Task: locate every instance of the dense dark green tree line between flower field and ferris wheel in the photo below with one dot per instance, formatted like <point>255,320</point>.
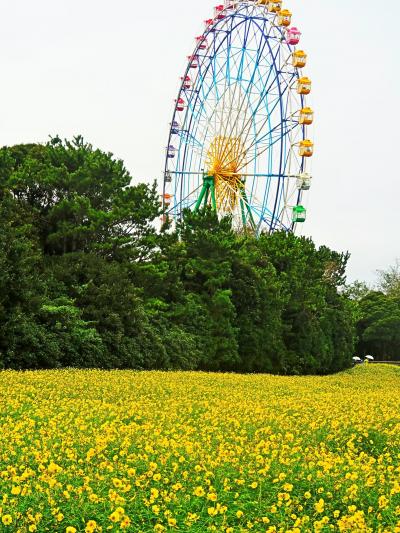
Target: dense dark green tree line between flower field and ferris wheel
<point>86,280</point>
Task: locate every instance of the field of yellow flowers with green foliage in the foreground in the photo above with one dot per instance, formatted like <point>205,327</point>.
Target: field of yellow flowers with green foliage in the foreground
<point>91,451</point>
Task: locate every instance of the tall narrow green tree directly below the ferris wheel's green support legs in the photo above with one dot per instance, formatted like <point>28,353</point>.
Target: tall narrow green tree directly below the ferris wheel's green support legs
<point>208,248</point>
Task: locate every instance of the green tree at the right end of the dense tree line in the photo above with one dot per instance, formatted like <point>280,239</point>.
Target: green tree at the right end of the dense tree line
<point>317,322</point>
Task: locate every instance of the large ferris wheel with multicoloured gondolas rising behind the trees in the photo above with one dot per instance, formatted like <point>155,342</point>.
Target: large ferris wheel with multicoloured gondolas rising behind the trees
<point>239,139</point>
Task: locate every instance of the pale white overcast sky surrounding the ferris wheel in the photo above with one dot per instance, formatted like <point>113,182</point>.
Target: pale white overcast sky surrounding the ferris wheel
<point>109,70</point>
